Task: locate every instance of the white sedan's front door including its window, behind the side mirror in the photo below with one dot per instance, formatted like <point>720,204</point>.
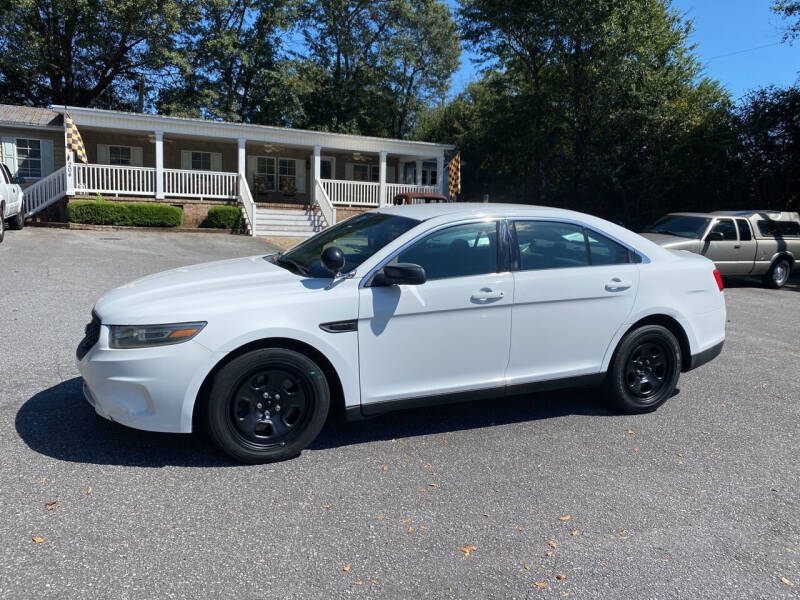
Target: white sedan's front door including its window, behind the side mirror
<point>445,336</point>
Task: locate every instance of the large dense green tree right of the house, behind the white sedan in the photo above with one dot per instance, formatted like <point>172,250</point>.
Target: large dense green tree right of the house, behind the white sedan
<point>592,104</point>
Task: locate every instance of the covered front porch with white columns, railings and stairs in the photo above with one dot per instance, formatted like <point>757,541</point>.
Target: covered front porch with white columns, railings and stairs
<point>169,158</point>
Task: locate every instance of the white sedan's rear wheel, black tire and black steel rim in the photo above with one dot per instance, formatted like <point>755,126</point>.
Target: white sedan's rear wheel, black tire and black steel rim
<point>645,370</point>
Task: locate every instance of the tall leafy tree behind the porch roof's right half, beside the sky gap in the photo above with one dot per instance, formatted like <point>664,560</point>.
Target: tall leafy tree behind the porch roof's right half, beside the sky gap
<point>372,65</point>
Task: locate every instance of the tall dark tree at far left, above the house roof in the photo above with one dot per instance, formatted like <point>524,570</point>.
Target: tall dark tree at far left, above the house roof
<point>82,52</point>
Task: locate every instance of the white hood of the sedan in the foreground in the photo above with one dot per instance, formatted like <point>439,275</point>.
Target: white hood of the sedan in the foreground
<point>196,292</point>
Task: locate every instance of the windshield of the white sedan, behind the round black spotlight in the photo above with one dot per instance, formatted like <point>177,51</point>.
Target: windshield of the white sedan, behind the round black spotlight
<point>358,238</point>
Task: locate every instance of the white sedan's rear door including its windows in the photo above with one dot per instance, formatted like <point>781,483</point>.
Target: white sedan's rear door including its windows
<point>573,291</point>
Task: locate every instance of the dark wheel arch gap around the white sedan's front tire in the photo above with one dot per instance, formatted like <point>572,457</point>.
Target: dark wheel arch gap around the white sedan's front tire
<point>334,381</point>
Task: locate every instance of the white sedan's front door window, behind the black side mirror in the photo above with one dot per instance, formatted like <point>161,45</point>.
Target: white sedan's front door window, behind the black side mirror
<point>458,251</point>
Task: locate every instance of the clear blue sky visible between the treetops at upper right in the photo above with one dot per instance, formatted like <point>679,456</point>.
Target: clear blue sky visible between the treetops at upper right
<point>738,42</point>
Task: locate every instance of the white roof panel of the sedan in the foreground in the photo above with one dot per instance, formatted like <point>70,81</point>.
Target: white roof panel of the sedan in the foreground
<point>459,210</point>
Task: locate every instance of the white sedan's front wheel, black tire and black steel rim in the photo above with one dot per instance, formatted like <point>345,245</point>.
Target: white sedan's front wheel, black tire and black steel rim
<point>267,405</point>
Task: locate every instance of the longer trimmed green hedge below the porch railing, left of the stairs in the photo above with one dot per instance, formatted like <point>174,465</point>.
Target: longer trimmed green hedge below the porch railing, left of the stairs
<point>138,214</point>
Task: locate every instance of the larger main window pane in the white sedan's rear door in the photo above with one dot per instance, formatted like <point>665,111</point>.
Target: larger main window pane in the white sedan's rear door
<point>551,245</point>
